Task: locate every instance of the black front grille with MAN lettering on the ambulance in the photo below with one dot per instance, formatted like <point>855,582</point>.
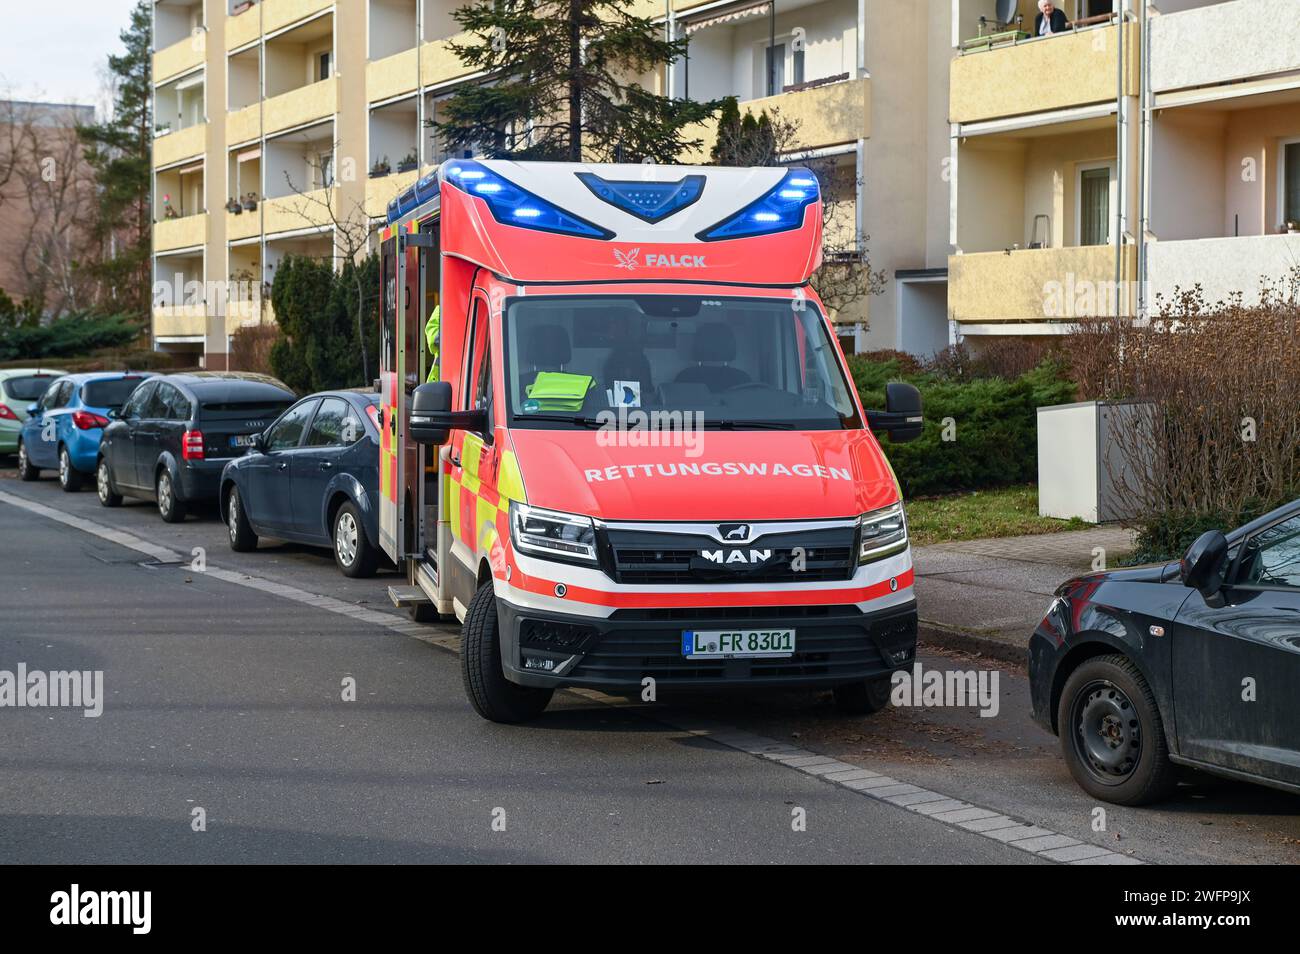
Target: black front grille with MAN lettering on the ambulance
<point>814,556</point>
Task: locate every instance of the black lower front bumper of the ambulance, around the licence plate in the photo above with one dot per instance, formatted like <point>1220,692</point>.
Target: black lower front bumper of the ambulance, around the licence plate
<point>835,645</point>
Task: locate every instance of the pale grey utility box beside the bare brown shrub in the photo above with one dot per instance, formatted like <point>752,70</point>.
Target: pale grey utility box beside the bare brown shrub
<point>1081,467</point>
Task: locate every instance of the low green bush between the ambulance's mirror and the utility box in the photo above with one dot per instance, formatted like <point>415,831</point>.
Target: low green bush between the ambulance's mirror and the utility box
<point>994,426</point>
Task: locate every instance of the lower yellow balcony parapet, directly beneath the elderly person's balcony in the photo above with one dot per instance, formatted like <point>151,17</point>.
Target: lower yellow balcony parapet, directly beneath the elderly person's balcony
<point>1038,284</point>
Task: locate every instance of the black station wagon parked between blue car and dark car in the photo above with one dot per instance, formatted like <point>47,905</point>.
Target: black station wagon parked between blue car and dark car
<point>176,433</point>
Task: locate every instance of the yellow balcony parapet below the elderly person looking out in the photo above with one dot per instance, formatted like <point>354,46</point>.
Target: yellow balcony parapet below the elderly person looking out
<point>1039,76</point>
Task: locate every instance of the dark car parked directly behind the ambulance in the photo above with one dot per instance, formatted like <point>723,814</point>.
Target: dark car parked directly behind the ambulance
<point>313,478</point>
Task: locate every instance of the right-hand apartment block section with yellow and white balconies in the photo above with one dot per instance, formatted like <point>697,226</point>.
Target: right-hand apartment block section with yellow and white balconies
<point>1154,149</point>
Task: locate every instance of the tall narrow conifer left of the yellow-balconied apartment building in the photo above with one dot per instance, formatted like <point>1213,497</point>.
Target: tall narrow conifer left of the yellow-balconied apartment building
<point>119,154</point>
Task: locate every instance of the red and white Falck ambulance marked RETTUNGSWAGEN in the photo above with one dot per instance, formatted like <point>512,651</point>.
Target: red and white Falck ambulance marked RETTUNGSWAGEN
<point>642,465</point>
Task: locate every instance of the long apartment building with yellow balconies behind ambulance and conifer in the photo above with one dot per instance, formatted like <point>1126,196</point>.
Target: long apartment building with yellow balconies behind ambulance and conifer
<point>281,120</point>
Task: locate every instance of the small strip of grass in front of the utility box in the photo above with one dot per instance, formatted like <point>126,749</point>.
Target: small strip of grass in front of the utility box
<point>1002,513</point>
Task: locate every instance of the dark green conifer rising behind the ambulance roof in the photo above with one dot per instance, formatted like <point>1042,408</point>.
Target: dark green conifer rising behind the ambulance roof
<point>564,81</point>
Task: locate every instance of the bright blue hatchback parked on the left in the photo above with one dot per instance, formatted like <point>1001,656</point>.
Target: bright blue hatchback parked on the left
<point>64,427</point>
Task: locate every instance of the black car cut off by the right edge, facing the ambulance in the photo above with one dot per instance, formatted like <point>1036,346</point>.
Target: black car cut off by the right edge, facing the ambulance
<point>1190,664</point>
